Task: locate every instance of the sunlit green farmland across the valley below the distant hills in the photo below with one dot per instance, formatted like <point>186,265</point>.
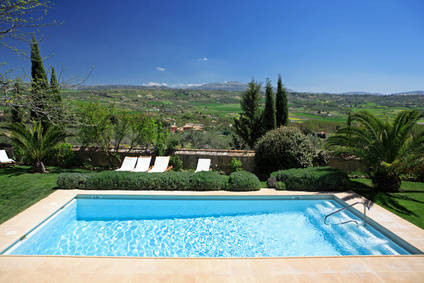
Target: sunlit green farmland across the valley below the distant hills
<point>218,108</point>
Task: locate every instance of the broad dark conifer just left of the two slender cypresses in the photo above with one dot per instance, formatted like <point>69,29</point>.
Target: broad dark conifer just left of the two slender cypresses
<point>248,127</point>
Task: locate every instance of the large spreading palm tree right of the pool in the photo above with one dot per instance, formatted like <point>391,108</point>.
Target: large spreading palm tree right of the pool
<point>387,148</point>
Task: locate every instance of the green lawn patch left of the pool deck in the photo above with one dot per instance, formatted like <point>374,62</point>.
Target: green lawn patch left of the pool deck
<point>19,188</point>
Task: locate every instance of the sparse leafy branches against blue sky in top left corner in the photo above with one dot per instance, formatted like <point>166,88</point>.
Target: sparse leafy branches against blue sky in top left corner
<point>19,19</point>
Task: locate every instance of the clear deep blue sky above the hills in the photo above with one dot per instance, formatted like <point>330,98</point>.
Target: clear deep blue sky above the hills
<point>332,46</point>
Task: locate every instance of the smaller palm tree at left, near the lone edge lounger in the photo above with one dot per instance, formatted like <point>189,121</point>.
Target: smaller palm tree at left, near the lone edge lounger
<point>34,141</point>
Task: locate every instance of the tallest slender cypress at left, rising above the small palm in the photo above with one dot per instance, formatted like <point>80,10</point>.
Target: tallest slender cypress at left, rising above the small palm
<point>39,86</point>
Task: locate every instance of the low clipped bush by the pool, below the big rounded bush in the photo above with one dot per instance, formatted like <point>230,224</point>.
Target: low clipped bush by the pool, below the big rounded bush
<point>310,179</point>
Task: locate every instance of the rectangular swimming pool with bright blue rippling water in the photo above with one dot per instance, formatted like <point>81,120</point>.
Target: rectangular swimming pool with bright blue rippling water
<point>207,226</point>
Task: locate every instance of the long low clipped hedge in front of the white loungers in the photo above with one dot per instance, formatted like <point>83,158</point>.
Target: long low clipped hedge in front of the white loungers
<point>171,181</point>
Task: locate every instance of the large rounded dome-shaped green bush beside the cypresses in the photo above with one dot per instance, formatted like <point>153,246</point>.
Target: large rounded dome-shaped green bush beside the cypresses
<point>282,148</point>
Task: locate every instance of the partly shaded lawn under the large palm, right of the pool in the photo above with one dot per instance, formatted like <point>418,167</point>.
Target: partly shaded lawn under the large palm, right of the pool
<point>408,204</point>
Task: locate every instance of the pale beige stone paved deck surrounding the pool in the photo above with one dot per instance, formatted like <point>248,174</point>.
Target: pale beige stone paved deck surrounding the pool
<point>409,268</point>
